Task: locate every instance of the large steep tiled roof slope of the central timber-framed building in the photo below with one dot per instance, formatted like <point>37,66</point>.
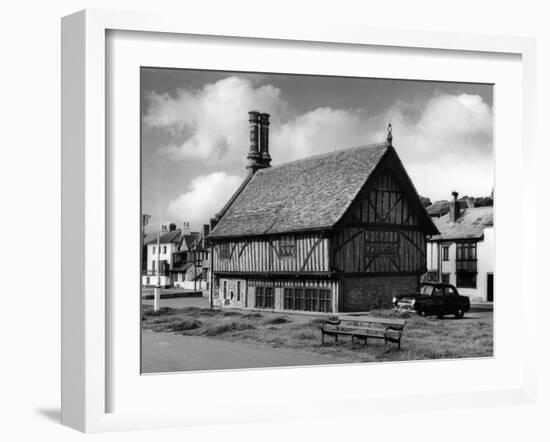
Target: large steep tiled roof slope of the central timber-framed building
<point>308,194</point>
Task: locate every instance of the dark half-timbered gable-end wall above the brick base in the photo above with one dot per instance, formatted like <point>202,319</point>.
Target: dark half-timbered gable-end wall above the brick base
<point>381,232</point>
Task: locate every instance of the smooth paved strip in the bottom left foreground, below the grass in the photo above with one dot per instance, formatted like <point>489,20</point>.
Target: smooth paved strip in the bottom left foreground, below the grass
<point>165,352</point>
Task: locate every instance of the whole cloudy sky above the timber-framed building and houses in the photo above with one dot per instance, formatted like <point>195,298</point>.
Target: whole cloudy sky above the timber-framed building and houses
<point>195,132</point>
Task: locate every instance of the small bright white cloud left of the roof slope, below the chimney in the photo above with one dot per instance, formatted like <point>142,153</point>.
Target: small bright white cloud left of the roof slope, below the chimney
<point>206,196</point>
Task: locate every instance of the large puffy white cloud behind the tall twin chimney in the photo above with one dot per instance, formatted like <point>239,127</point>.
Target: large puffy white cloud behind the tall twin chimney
<point>212,120</point>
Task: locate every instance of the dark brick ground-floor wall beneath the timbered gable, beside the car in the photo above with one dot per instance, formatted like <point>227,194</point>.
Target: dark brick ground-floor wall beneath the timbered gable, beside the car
<point>366,293</point>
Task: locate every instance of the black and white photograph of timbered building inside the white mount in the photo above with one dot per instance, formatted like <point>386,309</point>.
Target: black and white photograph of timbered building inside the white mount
<point>299,220</point>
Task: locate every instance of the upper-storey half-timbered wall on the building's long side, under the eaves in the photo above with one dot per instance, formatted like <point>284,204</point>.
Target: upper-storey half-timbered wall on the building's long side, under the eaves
<point>287,253</point>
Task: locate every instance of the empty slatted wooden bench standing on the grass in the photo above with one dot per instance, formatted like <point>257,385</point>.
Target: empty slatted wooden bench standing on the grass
<point>365,327</point>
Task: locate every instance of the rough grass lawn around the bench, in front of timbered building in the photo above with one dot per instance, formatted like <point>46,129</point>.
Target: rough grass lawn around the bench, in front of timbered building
<point>424,338</point>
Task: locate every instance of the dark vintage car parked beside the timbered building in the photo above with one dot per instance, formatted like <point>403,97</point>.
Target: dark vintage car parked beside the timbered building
<point>434,299</point>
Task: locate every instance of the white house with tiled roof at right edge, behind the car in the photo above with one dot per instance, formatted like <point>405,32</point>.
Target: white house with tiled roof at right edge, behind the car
<point>463,252</point>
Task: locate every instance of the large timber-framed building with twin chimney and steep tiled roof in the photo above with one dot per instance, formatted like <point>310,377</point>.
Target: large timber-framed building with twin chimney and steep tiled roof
<point>338,232</point>
